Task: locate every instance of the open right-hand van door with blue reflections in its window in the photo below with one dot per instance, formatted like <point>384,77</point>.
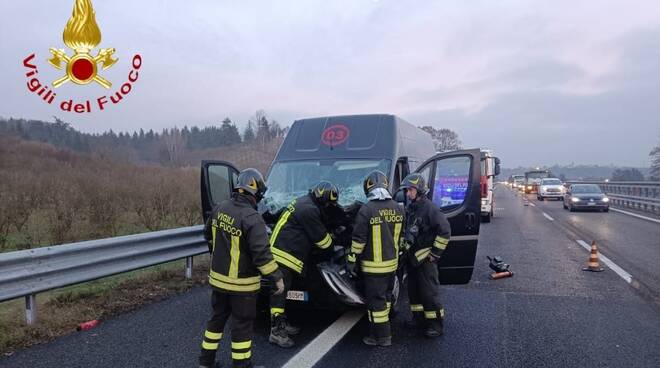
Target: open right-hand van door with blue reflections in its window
<point>453,179</point>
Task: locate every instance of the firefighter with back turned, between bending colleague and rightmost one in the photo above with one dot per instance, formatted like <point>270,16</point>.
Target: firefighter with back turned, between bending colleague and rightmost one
<point>375,249</point>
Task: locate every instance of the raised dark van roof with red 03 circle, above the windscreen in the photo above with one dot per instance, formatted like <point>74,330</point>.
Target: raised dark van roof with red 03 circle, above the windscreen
<point>354,136</point>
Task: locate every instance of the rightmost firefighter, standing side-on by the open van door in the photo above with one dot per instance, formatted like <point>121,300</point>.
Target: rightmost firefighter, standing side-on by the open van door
<point>426,237</point>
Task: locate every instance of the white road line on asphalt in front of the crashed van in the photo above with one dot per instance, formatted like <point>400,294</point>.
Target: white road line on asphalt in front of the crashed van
<point>317,348</point>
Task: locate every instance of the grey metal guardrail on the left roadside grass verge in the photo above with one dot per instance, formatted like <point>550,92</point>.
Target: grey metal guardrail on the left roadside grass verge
<point>28,272</point>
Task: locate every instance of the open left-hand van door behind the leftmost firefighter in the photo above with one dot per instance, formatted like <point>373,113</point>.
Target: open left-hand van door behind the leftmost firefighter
<point>217,181</point>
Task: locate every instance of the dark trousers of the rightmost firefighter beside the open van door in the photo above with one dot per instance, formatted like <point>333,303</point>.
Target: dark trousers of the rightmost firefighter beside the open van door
<point>424,294</point>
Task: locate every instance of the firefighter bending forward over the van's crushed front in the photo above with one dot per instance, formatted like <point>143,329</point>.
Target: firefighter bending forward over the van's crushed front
<point>298,230</point>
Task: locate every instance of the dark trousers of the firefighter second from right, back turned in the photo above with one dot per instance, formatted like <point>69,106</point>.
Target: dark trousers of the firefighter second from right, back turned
<point>376,290</point>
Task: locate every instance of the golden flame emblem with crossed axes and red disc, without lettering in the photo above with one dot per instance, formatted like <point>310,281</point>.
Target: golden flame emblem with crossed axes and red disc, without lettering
<point>82,35</point>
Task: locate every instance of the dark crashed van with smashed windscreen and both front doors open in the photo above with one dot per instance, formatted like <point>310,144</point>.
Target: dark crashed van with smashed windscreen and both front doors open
<point>343,150</point>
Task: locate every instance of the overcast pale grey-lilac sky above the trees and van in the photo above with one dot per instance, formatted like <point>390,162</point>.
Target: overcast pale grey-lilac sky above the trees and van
<point>539,82</point>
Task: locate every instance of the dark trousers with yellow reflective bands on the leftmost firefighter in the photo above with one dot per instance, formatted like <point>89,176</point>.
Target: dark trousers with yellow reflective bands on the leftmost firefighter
<point>242,309</point>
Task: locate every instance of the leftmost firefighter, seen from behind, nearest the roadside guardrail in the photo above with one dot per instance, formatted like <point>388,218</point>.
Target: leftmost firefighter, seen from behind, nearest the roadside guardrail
<point>240,254</point>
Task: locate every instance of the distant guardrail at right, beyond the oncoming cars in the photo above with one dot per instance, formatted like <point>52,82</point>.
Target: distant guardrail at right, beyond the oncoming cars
<point>638,195</point>
